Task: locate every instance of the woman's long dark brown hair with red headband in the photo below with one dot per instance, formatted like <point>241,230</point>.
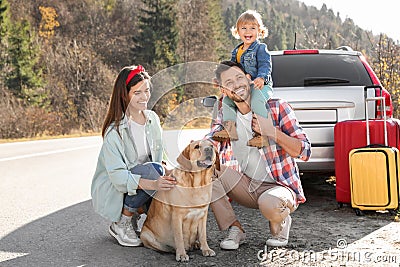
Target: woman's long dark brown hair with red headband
<point>127,77</point>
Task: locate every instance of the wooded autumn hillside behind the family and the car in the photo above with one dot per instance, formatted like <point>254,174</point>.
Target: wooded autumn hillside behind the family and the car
<point>59,58</point>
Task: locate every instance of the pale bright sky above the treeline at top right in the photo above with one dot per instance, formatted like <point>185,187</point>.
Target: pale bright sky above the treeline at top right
<point>378,16</point>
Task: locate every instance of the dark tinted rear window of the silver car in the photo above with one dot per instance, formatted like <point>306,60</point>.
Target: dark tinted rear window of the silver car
<point>318,70</point>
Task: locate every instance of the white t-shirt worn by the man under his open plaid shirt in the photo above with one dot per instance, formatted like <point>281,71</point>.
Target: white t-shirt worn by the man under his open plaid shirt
<point>249,158</point>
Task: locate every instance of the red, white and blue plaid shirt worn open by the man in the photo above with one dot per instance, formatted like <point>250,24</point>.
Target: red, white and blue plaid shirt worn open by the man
<point>279,164</point>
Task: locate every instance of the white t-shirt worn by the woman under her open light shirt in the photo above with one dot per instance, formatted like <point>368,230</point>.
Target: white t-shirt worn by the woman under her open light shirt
<point>139,138</point>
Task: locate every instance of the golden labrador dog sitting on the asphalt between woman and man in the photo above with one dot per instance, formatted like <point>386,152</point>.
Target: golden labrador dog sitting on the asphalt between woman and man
<point>176,221</point>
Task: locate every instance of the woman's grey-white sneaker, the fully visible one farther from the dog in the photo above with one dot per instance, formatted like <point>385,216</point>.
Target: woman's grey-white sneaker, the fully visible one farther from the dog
<point>124,233</point>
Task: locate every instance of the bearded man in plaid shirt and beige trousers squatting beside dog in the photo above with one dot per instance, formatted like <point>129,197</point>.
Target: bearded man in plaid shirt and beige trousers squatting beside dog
<point>268,179</point>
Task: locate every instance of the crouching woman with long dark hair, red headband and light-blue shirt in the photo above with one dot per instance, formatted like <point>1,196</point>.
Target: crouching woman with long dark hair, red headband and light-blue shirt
<point>128,170</point>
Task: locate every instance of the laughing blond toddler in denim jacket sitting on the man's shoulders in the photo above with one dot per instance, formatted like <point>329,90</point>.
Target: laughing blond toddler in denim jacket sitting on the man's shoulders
<point>255,59</point>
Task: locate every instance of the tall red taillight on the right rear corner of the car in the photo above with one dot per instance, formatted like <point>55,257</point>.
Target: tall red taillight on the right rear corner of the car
<point>385,93</point>
